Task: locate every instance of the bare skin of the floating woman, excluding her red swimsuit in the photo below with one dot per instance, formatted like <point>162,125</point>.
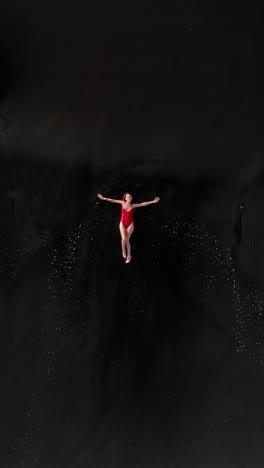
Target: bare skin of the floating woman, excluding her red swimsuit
<point>127,232</point>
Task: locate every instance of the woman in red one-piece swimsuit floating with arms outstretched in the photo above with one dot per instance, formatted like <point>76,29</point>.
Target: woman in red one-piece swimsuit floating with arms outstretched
<point>126,225</point>
